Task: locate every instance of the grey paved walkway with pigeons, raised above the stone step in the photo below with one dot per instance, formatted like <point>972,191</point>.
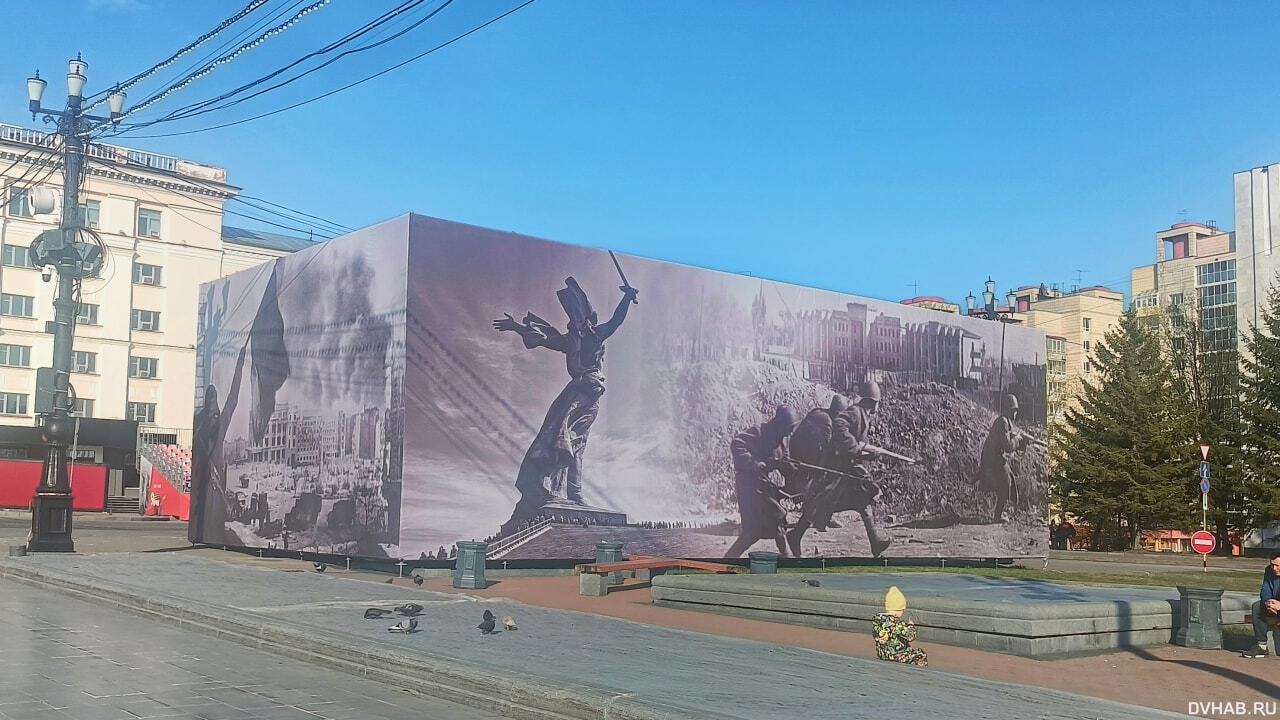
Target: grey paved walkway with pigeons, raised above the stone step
<point>559,664</point>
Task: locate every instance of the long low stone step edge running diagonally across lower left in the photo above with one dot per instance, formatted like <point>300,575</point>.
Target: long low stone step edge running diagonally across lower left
<point>432,677</point>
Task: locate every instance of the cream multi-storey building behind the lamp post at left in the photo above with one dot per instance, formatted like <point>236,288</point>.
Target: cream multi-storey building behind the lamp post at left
<point>162,222</point>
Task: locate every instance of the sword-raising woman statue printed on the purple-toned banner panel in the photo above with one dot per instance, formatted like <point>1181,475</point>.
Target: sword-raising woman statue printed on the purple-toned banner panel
<point>551,475</point>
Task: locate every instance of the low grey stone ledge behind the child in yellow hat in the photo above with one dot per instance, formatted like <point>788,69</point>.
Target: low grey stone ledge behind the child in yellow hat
<point>1031,630</point>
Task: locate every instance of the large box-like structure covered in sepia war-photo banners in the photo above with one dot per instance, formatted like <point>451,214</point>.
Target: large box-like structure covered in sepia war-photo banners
<point>418,384</point>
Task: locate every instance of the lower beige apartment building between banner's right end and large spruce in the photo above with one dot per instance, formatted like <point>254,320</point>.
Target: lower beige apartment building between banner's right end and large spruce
<point>1073,323</point>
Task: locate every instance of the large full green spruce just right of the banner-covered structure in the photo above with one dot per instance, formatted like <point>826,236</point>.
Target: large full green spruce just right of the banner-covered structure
<point>1122,461</point>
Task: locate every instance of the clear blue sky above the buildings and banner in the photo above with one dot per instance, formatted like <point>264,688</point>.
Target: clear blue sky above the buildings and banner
<point>845,145</point>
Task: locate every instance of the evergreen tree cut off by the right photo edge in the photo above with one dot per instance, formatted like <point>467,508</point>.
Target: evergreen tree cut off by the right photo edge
<point>1260,416</point>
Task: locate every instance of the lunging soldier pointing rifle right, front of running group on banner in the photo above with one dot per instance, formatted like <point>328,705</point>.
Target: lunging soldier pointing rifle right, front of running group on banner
<point>845,482</point>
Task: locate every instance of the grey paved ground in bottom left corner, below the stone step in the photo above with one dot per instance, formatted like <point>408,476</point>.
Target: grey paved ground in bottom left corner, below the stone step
<point>65,659</point>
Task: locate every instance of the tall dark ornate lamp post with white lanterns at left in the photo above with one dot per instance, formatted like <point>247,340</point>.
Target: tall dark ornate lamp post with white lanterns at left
<point>74,258</point>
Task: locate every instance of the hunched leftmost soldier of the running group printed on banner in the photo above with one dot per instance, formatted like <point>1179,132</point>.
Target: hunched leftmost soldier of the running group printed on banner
<point>757,453</point>
